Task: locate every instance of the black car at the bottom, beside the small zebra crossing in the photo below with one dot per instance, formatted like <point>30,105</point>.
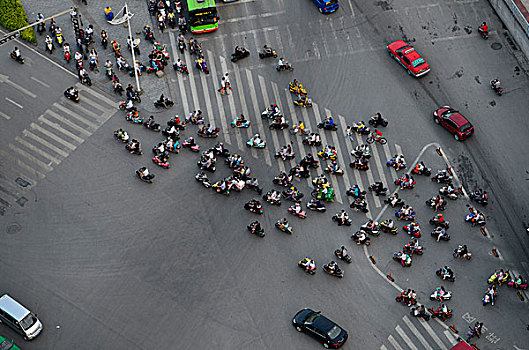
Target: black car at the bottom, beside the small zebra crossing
<point>320,327</point>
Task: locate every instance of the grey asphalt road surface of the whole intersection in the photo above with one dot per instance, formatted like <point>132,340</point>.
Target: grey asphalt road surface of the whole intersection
<point>107,261</point>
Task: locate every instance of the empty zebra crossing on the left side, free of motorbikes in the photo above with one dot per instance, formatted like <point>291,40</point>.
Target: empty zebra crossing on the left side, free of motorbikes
<point>47,141</point>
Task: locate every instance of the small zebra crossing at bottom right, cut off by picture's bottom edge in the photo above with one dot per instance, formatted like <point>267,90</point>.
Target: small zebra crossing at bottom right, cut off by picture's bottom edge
<point>417,334</point>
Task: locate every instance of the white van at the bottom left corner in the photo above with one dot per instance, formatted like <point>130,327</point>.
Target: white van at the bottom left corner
<point>16,316</point>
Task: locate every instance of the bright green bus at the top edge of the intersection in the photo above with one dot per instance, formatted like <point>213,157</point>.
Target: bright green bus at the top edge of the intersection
<point>202,16</point>
